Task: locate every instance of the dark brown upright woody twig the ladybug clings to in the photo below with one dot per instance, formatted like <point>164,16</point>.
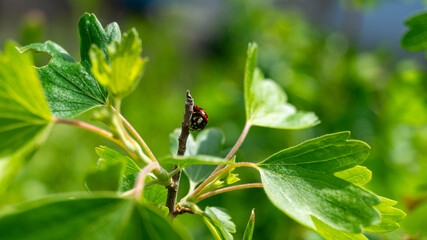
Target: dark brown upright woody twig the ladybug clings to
<point>185,131</point>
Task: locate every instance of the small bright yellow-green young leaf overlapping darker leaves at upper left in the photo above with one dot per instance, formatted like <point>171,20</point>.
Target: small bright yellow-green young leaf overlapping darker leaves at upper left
<point>122,72</point>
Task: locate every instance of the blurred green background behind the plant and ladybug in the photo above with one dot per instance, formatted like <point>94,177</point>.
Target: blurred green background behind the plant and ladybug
<point>340,59</point>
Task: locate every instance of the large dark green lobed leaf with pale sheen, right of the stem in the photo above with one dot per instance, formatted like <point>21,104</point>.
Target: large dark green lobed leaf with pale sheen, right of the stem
<point>300,181</point>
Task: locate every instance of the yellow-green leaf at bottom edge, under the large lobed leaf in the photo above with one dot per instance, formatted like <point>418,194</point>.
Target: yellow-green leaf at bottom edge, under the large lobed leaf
<point>330,233</point>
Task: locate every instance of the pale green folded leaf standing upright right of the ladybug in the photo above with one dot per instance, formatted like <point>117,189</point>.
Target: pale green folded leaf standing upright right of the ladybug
<point>266,103</point>
